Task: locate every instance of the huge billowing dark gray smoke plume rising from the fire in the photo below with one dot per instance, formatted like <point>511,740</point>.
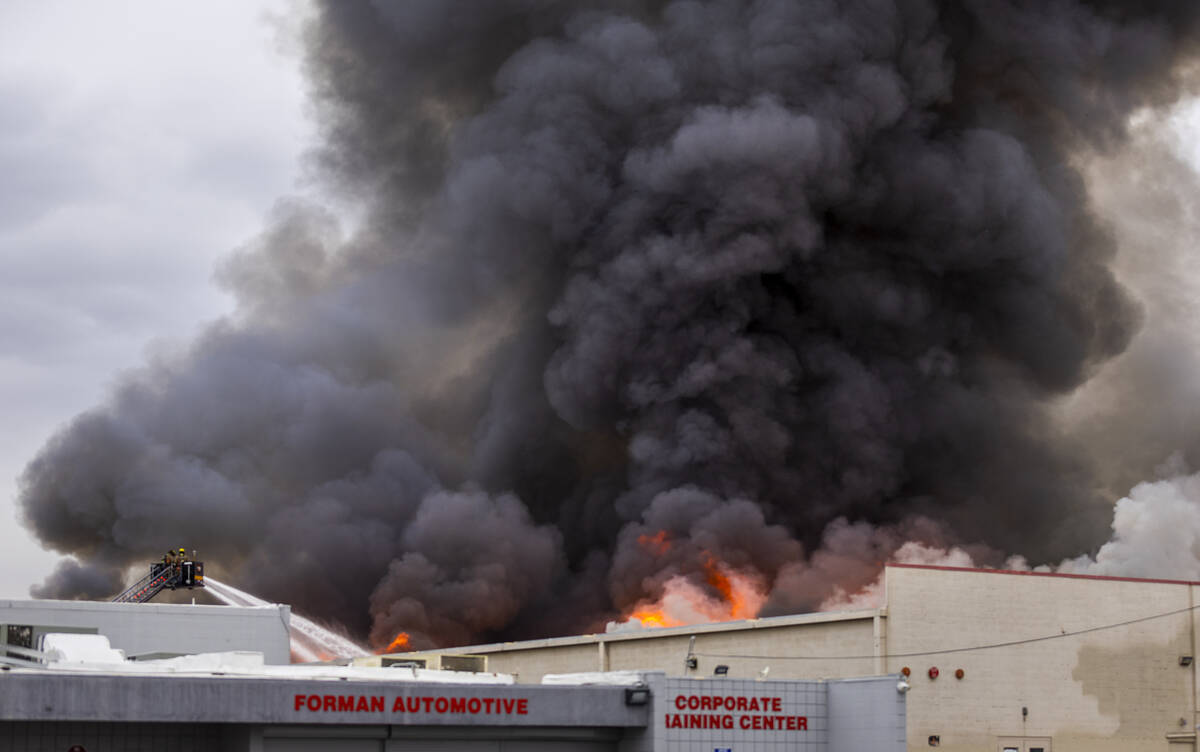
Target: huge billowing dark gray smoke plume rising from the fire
<point>718,273</point>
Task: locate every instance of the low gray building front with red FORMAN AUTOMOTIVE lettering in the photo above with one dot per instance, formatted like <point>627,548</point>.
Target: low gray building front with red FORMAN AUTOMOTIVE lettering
<point>44,711</point>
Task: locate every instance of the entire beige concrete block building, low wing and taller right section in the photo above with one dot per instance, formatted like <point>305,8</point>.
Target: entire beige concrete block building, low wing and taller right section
<point>998,661</point>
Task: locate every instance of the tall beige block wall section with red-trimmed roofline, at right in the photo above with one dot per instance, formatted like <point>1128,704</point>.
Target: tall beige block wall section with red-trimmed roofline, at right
<point>1054,665</point>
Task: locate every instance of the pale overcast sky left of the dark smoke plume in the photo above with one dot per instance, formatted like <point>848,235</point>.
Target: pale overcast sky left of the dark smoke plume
<point>140,143</point>
